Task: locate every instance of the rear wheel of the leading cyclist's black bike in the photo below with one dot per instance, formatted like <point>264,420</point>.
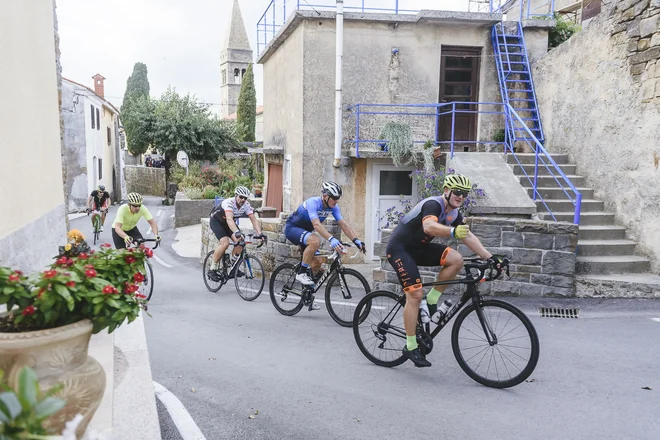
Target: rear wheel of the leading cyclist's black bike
<point>359,320</point>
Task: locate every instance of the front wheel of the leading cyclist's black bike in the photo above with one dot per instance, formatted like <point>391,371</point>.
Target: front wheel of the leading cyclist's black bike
<point>513,355</point>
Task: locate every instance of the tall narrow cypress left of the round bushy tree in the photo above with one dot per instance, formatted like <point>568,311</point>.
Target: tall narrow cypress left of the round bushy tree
<point>136,101</point>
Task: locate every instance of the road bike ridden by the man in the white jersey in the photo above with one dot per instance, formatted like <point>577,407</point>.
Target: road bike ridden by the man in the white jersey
<point>247,271</point>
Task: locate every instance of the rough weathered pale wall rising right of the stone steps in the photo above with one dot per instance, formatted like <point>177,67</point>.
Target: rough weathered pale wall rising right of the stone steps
<point>604,110</point>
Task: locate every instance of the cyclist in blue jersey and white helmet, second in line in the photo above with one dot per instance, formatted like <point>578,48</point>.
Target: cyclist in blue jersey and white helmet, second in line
<point>308,218</point>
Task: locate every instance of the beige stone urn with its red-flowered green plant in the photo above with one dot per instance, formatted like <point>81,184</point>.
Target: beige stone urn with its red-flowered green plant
<point>51,316</point>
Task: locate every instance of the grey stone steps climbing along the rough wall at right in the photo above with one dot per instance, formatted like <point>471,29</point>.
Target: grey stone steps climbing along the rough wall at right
<point>606,261</point>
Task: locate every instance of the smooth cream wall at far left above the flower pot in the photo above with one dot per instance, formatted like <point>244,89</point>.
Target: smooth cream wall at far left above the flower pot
<point>33,221</point>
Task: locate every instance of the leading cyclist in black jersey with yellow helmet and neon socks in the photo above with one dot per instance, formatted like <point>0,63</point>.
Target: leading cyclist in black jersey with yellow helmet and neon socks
<point>410,245</point>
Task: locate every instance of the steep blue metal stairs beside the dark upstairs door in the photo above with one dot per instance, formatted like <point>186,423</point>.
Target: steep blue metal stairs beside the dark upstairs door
<point>516,83</point>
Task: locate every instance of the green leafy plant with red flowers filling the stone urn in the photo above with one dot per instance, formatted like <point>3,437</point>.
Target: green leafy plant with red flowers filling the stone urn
<point>101,286</point>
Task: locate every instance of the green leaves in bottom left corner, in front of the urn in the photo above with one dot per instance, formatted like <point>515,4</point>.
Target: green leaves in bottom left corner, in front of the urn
<point>24,409</point>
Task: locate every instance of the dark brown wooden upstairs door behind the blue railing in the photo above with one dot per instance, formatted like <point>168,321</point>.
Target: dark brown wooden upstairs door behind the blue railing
<point>459,81</point>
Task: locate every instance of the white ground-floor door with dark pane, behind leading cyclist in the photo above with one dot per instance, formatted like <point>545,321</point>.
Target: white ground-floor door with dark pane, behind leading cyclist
<point>389,184</point>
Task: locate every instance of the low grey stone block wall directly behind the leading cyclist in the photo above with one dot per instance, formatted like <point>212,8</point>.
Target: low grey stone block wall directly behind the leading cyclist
<point>542,256</point>
